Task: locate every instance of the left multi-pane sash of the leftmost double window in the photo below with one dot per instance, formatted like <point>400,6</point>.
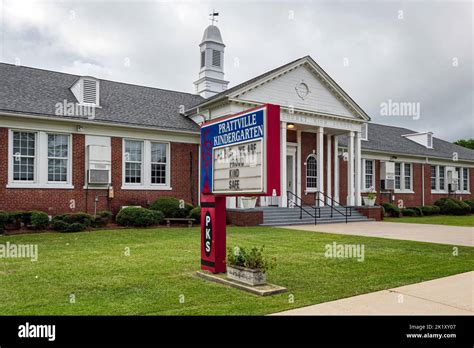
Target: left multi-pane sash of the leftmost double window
<point>24,155</point>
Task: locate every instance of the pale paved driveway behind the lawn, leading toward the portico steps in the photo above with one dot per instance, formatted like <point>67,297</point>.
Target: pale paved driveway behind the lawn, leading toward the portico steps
<point>442,234</point>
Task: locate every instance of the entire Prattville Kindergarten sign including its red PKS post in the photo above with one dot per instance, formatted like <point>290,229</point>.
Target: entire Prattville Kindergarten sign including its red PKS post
<point>240,156</point>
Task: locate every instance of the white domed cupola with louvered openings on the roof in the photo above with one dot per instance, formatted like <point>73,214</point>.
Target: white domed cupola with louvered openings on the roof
<point>211,74</point>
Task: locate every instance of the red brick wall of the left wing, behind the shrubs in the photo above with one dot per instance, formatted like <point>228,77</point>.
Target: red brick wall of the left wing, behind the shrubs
<point>184,183</point>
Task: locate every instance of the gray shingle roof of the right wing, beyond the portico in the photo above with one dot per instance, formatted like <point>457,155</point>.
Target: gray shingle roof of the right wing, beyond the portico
<point>389,139</point>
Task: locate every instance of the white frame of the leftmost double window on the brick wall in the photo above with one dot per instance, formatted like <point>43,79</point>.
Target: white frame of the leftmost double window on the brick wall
<point>41,162</point>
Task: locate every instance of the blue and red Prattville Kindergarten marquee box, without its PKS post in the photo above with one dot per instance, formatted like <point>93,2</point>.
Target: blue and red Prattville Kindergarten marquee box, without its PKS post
<point>239,153</point>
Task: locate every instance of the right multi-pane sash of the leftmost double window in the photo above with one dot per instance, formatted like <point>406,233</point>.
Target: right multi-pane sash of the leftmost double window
<point>58,154</point>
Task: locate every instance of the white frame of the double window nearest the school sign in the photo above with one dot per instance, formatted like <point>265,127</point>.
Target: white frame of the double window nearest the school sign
<point>146,167</point>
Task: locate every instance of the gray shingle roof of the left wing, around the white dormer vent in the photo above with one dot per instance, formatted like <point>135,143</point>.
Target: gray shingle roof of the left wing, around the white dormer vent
<point>36,92</point>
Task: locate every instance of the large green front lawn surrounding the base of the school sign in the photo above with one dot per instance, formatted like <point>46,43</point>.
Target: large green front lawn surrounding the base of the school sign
<point>160,272</point>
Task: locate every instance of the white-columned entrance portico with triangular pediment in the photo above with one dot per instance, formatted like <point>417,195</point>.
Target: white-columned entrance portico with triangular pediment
<point>314,113</point>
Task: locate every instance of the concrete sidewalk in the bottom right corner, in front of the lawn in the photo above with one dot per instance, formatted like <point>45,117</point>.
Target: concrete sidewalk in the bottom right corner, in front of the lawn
<point>452,295</point>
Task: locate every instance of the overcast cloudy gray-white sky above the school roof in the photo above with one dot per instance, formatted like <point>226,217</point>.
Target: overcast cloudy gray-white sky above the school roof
<point>403,51</point>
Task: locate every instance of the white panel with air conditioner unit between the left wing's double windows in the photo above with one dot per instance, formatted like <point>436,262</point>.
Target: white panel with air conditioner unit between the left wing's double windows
<point>99,166</point>
